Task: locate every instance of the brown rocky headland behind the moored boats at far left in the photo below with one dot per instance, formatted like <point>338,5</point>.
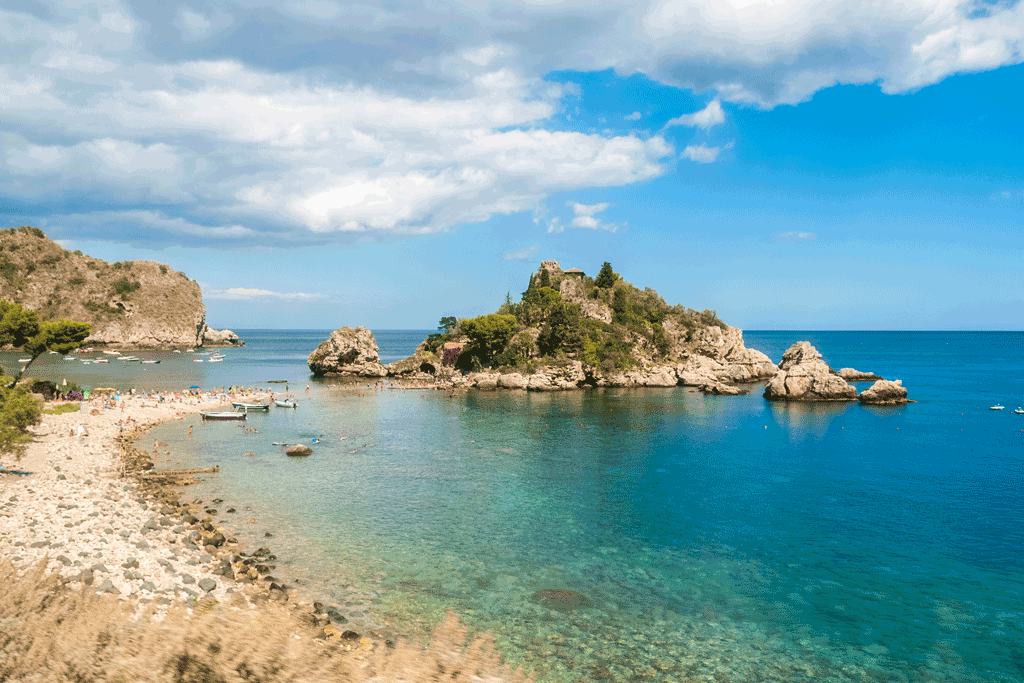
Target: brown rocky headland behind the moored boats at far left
<point>129,304</point>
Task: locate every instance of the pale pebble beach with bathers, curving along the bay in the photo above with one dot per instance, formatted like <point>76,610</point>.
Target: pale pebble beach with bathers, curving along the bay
<point>77,509</point>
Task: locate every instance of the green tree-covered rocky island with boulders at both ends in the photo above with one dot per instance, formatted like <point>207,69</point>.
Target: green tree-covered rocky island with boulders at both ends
<point>572,332</point>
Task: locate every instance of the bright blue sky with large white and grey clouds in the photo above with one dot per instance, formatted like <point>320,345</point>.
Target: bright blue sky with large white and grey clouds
<point>797,165</point>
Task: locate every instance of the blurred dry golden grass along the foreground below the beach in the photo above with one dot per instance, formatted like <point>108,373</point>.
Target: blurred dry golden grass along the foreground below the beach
<point>52,633</point>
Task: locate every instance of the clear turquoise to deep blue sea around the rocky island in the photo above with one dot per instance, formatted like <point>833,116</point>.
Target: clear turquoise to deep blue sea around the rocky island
<point>642,535</point>
